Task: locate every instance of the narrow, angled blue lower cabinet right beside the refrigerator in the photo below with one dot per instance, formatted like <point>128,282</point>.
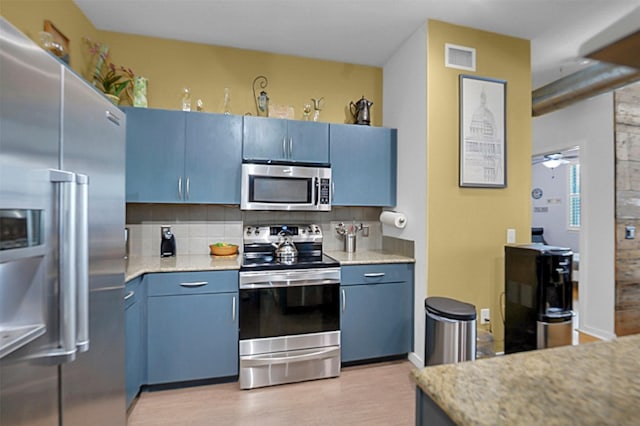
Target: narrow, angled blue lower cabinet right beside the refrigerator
<point>134,338</point>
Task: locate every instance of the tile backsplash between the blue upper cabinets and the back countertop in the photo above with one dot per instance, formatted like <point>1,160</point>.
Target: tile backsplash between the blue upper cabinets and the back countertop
<point>197,226</point>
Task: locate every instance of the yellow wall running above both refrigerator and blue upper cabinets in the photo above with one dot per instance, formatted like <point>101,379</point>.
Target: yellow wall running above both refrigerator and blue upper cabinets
<point>172,65</point>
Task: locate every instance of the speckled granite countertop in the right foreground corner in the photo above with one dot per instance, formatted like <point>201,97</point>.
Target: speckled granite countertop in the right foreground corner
<point>590,384</point>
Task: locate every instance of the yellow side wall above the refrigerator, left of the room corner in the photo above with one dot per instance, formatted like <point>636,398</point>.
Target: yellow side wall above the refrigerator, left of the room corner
<point>29,15</point>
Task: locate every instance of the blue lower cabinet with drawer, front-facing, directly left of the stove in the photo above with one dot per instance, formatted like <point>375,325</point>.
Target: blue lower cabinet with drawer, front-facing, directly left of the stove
<point>192,334</point>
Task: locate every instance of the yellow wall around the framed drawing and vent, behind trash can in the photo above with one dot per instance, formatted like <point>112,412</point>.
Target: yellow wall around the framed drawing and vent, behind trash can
<point>467,226</point>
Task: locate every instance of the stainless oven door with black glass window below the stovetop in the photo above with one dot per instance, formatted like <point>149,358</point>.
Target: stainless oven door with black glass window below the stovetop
<point>289,303</point>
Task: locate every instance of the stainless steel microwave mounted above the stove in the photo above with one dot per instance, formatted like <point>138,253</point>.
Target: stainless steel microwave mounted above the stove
<point>285,186</point>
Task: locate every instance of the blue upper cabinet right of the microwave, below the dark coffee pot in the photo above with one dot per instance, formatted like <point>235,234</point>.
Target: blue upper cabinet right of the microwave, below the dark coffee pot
<point>363,165</point>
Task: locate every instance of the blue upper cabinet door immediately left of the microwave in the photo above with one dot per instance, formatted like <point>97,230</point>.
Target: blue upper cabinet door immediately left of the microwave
<point>213,158</point>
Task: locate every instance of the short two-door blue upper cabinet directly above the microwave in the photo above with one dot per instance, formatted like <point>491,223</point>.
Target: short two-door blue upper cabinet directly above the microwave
<point>285,140</point>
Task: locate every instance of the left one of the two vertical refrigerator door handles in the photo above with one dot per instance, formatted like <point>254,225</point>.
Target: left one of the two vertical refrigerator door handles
<point>67,263</point>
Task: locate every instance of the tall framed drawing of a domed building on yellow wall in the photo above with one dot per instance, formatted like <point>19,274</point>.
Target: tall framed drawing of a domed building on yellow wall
<point>482,144</point>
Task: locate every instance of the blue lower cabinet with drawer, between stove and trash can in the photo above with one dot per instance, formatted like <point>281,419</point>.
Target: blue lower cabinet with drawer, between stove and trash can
<point>377,319</point>
